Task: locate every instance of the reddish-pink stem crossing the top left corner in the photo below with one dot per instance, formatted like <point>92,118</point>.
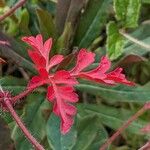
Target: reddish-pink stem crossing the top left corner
<point>12,10</point>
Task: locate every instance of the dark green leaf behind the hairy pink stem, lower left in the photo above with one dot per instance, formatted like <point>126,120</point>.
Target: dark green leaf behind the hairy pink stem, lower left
<point>34,121</point>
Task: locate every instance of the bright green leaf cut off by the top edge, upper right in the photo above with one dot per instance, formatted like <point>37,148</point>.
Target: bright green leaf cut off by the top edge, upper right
<point>127,11</point>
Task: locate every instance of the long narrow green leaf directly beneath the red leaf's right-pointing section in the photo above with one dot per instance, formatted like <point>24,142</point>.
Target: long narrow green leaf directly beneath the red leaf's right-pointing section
<point>121,93</point>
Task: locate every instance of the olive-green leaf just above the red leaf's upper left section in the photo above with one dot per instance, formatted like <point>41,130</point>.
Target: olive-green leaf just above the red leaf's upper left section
<point>46,24</point>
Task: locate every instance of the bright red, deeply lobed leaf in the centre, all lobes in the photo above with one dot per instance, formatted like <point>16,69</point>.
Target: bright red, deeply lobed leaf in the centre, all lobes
<point>61,83</point>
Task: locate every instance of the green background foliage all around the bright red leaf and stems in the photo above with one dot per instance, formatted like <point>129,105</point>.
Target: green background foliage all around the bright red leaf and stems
<point>96,25</point>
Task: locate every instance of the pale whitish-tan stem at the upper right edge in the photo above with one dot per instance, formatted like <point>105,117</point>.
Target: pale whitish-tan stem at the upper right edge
<point>134,40</point>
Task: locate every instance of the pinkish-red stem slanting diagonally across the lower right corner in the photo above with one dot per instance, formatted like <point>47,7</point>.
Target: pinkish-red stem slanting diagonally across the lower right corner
<point>123,127</point>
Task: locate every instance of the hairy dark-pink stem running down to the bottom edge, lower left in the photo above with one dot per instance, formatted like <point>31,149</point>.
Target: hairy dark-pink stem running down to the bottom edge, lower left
<point>22,126</point>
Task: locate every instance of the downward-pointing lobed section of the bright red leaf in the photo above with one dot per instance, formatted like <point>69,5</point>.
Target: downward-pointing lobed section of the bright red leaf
<point>62,107</point>
